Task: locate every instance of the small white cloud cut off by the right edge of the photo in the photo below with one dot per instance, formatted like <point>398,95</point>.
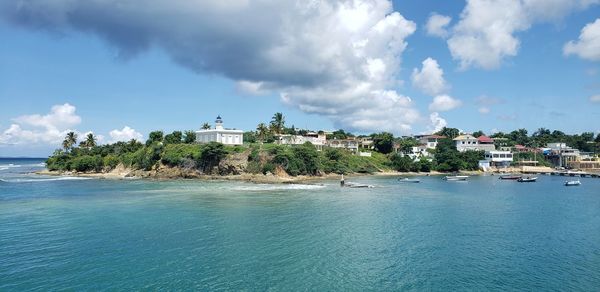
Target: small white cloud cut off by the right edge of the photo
<point>588,44</point>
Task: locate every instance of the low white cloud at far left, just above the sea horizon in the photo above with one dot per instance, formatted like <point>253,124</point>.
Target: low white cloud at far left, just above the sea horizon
<point>41,129</point>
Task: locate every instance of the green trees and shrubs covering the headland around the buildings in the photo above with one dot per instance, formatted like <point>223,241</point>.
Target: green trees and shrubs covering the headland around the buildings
<point>178,149</point>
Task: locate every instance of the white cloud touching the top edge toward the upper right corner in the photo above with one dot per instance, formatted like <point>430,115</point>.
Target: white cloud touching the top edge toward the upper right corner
<point>485,34</point>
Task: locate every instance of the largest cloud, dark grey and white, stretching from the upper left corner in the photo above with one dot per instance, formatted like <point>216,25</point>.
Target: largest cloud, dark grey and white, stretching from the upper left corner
<point>339,59</point>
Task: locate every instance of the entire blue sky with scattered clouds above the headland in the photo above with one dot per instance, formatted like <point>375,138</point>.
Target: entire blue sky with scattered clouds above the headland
<point>123,68</point>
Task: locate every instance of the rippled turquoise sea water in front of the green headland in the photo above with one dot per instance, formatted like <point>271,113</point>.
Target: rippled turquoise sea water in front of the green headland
<point>484,234</point>
